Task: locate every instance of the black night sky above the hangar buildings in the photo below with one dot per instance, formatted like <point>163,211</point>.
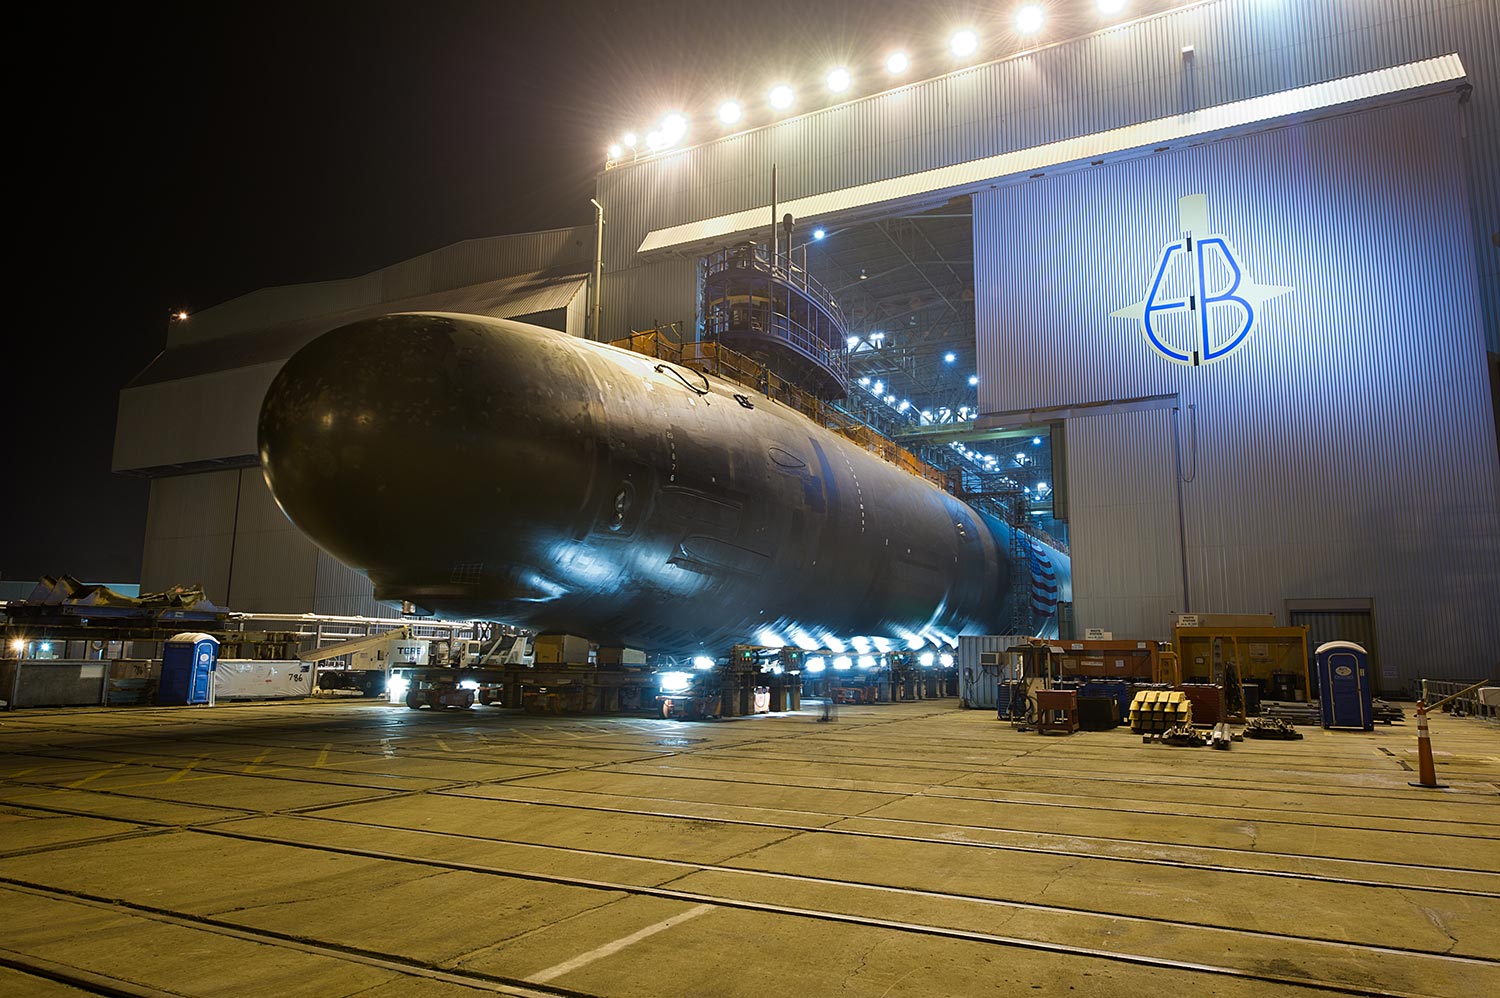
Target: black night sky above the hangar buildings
<point>197,152</point>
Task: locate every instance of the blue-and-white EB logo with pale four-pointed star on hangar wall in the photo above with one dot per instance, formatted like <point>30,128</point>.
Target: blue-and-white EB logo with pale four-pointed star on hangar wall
<point>1207,311</point>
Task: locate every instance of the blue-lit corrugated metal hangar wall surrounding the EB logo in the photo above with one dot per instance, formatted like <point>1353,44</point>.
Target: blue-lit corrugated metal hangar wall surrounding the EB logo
<point>1345,451</point>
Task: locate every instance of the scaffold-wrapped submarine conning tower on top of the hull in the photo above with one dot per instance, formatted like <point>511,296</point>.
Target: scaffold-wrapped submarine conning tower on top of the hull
<point>769,307</point>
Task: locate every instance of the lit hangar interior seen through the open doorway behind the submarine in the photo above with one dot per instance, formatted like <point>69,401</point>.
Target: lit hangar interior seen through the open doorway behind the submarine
<point>905,283</point>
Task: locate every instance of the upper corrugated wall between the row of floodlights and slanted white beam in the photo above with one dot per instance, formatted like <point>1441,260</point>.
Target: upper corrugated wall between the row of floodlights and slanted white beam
<point>1244,49</point>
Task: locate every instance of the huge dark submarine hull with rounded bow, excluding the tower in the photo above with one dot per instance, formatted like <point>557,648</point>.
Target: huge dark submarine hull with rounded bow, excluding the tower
<point>488,469</point>
